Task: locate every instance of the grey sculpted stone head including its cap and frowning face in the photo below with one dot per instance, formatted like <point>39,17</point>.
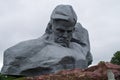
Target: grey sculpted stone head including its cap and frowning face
<point>63,20</point>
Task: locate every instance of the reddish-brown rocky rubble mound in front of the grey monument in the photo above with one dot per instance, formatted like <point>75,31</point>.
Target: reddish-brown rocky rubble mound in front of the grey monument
<point>98,72</point>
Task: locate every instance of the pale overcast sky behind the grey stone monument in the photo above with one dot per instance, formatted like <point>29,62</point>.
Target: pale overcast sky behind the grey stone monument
<point>27,19</point>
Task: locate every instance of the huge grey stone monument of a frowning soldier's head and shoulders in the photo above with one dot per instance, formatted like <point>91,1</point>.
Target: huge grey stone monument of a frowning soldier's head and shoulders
<point>65,45</point>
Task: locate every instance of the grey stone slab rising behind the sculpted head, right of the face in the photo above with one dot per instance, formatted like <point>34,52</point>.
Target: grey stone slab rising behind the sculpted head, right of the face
<point>81,37</point>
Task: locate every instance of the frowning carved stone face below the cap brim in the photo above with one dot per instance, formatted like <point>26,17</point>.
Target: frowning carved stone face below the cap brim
<point>62,32</point>
